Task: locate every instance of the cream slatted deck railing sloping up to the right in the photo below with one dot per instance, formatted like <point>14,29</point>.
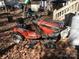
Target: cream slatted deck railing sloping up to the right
<point>70,8</point>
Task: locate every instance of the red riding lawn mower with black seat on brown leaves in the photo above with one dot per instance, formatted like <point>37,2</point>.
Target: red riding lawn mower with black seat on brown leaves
<point>37,30</point>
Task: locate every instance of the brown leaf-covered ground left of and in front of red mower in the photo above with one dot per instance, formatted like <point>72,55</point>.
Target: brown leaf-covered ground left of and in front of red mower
<point>20,51</point>
